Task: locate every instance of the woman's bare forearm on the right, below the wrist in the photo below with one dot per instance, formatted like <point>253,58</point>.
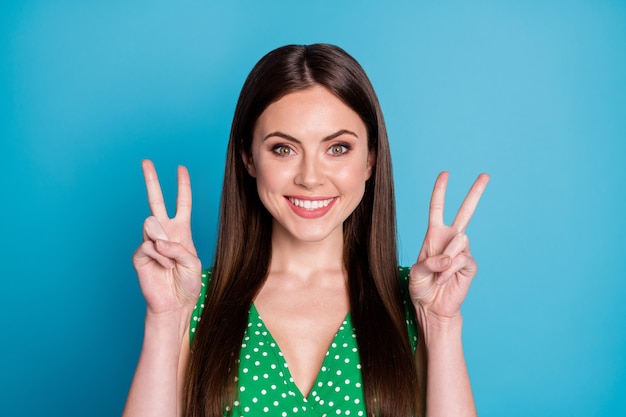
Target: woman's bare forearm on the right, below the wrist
<point>448,389</point>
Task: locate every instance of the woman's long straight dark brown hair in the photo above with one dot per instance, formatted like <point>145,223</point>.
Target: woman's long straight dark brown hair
<point>244,251</point>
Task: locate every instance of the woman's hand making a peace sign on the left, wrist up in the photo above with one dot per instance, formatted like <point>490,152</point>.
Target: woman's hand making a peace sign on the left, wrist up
<point>167,263</point>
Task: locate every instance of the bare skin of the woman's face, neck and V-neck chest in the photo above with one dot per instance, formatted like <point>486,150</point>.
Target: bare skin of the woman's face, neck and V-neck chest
<point>311,146</point>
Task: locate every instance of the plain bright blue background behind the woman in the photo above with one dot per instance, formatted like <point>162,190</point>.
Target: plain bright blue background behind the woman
<point>532,92</point>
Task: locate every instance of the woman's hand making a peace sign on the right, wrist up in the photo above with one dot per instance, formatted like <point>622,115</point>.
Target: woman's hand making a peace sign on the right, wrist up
<point>445,267</point>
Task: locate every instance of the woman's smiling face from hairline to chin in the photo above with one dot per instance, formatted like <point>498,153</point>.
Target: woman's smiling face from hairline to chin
<point>310,158</point>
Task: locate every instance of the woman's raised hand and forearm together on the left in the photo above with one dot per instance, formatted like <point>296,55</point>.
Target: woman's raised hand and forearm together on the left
<point>168,268</point>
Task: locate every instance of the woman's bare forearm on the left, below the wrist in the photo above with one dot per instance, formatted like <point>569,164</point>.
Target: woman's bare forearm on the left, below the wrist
<point>156,389</point>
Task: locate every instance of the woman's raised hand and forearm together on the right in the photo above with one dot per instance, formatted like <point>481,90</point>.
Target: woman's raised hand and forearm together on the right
<point>439,283</point>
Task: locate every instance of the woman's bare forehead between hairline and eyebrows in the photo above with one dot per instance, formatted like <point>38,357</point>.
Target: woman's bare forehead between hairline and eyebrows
<point>314,109</point>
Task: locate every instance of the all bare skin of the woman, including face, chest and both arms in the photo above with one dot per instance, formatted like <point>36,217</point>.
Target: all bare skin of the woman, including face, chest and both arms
<point>299,150</point>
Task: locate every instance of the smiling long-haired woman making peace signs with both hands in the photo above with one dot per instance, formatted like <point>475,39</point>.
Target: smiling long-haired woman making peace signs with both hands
<point>305,266</point>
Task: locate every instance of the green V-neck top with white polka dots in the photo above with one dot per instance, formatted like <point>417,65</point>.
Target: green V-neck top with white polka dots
<point>265,386</point>
